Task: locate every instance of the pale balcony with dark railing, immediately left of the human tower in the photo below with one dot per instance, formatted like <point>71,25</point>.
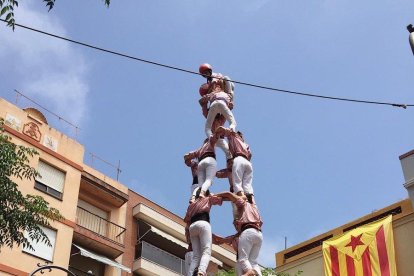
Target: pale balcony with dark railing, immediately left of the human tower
<point>151,260</point>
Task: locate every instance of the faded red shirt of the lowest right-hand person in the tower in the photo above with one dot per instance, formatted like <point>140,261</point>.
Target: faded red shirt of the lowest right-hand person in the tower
<point>247,214</point>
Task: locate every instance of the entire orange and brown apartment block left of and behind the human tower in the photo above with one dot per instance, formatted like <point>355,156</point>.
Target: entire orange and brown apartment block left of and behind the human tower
<point>108,229</point>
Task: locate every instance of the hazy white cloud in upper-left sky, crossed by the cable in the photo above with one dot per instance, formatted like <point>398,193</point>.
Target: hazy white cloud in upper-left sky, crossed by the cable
<point>45,69</point>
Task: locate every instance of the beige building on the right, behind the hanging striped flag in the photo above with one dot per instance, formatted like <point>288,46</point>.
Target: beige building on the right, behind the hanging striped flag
<point>307,256</point>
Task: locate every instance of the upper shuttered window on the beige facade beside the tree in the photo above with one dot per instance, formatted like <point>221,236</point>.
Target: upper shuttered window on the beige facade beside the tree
<point>50,181</point>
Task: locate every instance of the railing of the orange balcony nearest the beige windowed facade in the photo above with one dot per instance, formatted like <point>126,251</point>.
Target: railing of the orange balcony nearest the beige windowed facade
<point>100,225</point>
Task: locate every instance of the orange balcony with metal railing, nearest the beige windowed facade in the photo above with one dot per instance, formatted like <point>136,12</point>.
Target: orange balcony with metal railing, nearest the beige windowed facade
<point>96,232</point>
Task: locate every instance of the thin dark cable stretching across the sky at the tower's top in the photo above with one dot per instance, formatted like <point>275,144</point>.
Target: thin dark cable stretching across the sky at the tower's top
<point>196,73</point>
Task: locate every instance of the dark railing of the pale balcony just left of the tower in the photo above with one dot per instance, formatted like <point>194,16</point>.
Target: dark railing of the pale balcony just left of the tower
<point>154,254</point>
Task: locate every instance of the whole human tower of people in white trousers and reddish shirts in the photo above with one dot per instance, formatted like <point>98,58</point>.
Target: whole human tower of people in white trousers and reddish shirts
<point>217,103</point>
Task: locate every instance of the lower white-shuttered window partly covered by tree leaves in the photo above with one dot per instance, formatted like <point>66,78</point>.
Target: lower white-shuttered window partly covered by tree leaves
<point>41,249</point>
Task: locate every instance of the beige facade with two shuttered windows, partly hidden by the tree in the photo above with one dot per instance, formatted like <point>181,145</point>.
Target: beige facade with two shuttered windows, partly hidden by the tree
<point>62,156</point>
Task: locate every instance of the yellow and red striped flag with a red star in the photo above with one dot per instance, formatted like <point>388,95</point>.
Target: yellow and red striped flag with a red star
<point>365,251</point>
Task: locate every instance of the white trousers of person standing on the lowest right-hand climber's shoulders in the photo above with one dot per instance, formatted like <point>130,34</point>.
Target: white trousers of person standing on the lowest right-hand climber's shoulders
<point>242,172</point>
